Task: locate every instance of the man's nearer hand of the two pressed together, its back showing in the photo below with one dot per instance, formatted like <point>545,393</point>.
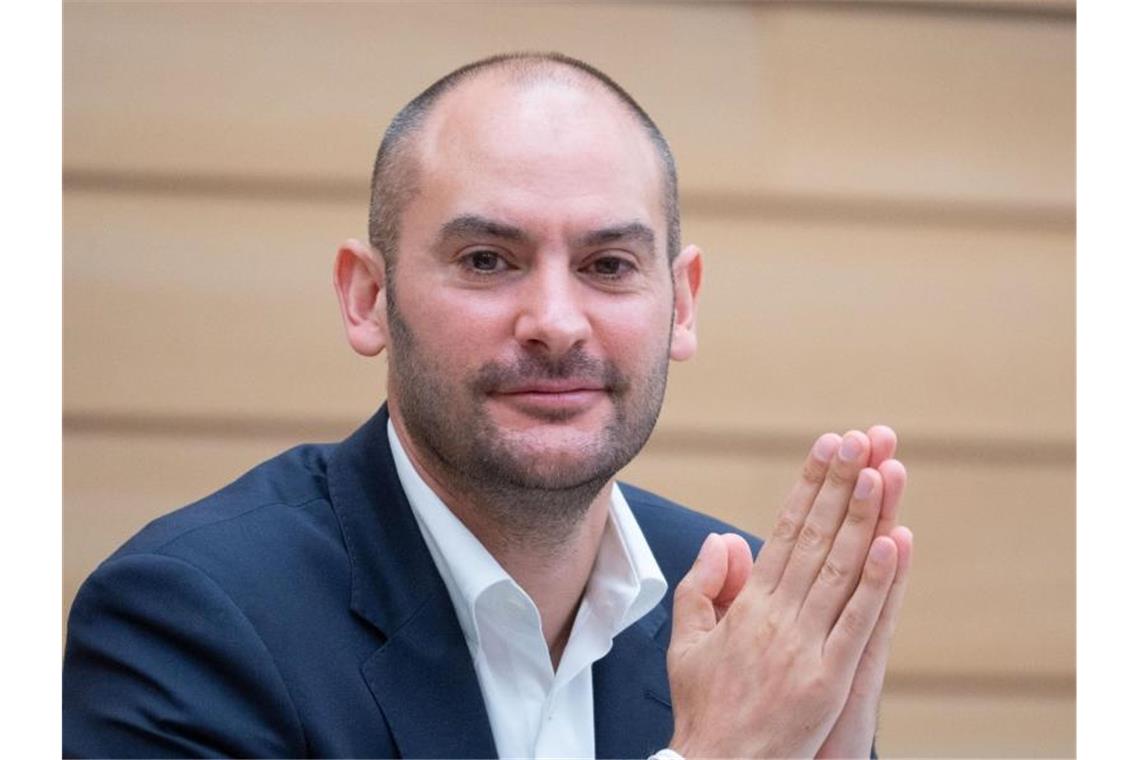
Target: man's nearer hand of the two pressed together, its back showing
<point>764,657</point>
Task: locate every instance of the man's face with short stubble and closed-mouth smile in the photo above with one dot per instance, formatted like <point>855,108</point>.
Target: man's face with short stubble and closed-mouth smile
<point>532,303</point>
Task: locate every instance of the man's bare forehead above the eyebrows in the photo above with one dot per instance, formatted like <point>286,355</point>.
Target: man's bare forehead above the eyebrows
<point>544,151</point>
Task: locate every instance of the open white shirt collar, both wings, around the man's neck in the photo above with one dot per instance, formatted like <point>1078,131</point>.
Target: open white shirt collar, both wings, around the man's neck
<point>625,585</point>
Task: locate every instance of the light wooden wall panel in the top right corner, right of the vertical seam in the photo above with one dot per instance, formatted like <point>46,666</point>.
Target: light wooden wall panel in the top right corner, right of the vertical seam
<point>909,105</point>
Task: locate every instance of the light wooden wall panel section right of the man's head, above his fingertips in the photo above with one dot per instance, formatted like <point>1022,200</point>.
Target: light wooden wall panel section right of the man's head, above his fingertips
<point>942,331</point>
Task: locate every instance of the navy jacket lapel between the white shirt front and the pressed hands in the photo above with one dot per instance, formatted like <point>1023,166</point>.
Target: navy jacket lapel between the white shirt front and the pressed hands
<point>633,715</point>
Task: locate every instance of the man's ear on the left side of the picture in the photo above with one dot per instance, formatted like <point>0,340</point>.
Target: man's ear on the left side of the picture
<point>359,276</point>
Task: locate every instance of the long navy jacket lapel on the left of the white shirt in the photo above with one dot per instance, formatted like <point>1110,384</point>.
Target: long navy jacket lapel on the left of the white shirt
<point>422,677</point>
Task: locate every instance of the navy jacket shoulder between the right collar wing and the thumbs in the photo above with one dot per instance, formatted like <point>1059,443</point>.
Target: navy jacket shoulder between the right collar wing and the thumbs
<point>677,533</point>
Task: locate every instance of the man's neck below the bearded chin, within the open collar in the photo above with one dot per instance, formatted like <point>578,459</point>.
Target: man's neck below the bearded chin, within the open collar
<point>545,541</point>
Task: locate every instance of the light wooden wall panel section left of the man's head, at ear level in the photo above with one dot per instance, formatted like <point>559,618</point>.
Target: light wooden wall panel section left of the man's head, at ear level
<point>208,307</point>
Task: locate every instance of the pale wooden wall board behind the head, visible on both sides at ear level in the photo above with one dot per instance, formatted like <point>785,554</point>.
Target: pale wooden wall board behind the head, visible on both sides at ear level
<point>198,306</point>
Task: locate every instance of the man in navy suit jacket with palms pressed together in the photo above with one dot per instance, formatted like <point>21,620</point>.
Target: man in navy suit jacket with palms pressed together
<point>462,577</point>
